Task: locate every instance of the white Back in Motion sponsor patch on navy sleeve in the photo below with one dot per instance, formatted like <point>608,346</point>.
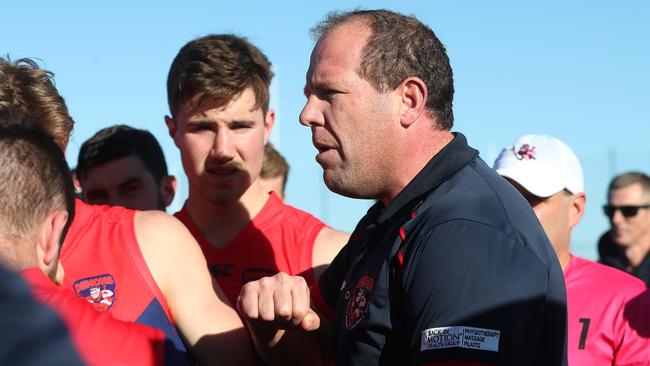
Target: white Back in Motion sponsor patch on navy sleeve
<point>460,337</point>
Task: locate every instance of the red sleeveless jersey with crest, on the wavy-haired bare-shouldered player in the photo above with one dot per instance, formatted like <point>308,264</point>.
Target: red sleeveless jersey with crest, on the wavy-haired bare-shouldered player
<point>103,265</point>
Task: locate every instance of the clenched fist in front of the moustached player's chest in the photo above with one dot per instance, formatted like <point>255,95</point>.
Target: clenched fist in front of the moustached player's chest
<point>281,300</point>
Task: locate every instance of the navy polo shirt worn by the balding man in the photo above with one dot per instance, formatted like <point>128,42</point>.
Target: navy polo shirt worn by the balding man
<point>457,267</point>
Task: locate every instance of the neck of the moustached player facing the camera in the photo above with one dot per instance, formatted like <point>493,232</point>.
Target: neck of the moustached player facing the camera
<point>220,223</point>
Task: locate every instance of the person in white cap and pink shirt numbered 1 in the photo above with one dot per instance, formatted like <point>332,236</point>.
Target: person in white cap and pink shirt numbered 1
<point>606,319</point>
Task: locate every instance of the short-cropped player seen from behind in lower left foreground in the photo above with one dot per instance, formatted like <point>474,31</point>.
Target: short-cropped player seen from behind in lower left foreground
<point>36,209</point>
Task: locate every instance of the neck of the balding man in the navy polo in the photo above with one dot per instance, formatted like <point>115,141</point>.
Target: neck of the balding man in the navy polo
<point>421,146</point>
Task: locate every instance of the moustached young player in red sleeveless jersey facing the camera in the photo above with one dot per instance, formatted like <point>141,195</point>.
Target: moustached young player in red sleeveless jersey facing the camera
<point>218,92</point>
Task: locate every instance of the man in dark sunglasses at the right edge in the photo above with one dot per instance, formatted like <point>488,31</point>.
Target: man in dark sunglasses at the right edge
<point>626,245</point>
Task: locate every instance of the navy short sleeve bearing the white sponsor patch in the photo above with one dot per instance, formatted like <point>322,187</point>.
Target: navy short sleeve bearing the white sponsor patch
<point>472,293</point>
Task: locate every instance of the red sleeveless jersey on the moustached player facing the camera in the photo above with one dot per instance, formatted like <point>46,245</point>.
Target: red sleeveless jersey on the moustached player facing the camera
<point>280,238</point>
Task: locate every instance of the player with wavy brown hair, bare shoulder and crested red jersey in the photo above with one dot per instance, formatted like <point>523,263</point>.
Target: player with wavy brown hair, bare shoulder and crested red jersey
<point>146,265</point>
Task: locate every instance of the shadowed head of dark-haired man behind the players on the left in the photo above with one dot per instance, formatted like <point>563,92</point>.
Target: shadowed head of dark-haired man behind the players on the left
<point>124,166</point>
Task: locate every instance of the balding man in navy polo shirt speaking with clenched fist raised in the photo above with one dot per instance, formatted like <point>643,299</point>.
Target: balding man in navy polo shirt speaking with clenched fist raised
<point>451,266</point>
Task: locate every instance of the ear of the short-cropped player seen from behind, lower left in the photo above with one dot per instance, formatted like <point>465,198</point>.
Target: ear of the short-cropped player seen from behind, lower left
<point>50,239</point>
